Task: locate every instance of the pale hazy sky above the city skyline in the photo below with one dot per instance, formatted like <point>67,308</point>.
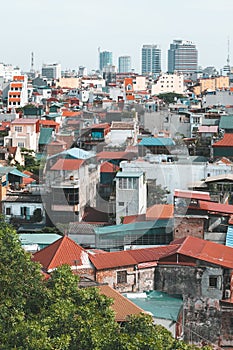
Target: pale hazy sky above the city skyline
<point>70,31</point>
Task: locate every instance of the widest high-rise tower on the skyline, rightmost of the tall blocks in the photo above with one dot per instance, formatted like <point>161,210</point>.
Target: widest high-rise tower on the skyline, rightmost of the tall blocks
<point>182,57</point>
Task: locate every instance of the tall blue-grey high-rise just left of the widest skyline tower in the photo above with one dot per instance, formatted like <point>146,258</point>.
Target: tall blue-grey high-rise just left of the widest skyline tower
<point>151,60</point>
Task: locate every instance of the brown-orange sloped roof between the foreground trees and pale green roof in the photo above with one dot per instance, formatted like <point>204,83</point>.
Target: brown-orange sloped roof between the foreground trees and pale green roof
<point>122,306</point>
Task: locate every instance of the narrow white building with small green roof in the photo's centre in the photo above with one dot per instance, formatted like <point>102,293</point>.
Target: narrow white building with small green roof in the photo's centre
<point>131,194</point>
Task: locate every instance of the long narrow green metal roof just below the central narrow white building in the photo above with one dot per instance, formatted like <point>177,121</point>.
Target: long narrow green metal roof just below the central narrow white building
<point>136,227</point>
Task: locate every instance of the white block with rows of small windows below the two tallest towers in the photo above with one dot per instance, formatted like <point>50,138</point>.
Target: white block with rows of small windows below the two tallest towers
<point>168,83</point>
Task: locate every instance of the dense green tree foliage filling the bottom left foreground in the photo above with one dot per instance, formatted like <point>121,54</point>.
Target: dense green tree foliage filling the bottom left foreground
<point>58,315</point>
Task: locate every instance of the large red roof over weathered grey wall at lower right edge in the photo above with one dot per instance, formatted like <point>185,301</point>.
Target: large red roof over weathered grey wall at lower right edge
<point>201,249</point>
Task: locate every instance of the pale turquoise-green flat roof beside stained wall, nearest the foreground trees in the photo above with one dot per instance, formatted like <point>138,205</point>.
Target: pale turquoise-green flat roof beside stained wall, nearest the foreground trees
<point>159,304</point>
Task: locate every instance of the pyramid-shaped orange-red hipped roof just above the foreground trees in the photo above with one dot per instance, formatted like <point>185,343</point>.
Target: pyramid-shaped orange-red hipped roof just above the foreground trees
<point>63,251</point>
